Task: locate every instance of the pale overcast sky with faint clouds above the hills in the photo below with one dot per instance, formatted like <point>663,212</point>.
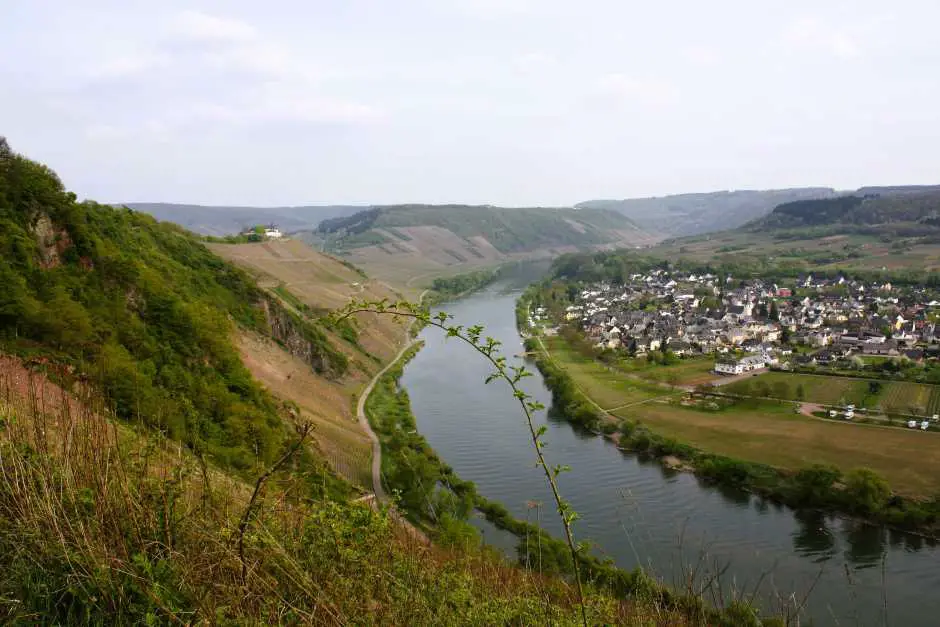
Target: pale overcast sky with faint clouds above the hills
<point>508,102</point>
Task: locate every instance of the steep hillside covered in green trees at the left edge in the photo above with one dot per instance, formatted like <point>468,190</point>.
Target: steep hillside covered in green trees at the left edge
<point>144,312</point>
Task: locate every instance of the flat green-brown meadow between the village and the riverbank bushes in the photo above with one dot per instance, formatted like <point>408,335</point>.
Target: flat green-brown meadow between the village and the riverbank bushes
<point>769,432</point>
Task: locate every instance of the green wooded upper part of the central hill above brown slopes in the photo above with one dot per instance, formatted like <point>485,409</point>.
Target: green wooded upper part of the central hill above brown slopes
<point>509,230</point>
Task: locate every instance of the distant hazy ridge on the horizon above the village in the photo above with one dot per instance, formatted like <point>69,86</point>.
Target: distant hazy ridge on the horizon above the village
<point>691,214</point>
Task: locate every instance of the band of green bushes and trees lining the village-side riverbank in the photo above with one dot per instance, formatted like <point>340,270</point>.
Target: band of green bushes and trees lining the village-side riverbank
<point>857,492</point>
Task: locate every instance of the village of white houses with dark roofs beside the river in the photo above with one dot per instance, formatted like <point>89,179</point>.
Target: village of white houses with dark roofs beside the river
<point>754,323</point>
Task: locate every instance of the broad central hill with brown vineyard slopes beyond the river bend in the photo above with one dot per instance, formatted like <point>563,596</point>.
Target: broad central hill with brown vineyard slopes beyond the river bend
<point>404,242</point>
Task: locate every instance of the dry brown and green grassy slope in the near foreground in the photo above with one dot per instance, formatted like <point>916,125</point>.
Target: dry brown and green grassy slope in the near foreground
<point>101,524</point>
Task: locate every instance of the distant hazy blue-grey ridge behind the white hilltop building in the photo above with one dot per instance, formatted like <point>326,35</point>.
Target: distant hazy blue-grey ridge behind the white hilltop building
<point>227,220</point>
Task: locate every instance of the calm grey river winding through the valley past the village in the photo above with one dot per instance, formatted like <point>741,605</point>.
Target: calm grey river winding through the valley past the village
<point>640,514</point>
